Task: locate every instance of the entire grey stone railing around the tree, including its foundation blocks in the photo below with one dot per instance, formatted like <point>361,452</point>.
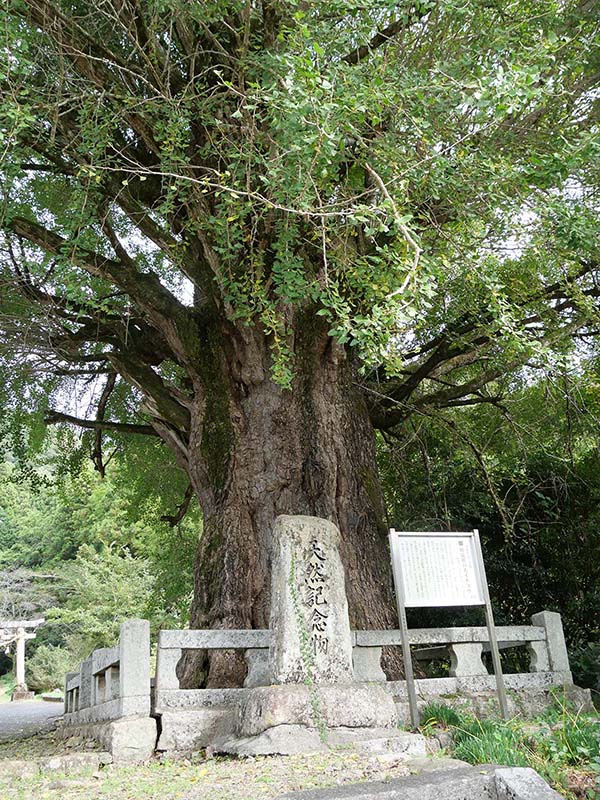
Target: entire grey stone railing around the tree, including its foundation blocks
<point>111,691</point>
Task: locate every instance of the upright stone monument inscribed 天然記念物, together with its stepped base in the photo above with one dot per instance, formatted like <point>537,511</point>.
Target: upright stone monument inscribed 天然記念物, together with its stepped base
<point>314,702</point>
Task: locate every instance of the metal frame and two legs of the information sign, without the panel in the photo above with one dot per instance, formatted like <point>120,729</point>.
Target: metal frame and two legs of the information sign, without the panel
<point>485,602</point>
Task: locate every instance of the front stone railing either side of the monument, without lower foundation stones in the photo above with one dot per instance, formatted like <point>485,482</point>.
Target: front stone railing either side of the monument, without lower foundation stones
<point>544,639</point>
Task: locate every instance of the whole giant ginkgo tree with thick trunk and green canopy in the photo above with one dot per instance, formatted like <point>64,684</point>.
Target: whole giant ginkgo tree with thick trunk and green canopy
<point>261,230</point>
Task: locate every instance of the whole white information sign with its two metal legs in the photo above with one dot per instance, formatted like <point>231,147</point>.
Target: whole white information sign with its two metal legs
<point>435,570</point>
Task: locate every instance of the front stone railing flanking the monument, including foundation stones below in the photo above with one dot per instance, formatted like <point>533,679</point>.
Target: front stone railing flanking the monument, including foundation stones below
<point>193,718</point>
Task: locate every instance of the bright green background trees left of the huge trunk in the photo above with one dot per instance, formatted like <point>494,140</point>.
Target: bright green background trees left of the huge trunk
<point>87,553</point>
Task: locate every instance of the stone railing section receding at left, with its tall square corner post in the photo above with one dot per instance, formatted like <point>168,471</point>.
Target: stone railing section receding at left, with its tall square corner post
<point>114,682</point>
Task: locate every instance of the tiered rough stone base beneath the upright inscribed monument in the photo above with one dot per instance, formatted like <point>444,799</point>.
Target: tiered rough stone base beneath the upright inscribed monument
<point>295,718</point>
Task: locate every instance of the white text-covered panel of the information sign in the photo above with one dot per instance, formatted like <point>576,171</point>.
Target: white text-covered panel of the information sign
<point>437,569</point>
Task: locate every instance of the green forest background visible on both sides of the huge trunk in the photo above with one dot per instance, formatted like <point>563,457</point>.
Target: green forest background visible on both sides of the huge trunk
<point>88,551</point>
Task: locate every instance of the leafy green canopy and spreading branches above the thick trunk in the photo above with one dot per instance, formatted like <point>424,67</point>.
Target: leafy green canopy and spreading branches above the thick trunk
<point>422,175</point>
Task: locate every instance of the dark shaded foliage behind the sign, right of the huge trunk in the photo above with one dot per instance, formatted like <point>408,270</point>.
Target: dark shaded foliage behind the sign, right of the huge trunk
<point>527,474</point>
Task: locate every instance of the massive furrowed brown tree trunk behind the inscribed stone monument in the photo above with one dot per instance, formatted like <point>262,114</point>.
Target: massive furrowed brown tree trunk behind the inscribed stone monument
<point>265,451</point>
